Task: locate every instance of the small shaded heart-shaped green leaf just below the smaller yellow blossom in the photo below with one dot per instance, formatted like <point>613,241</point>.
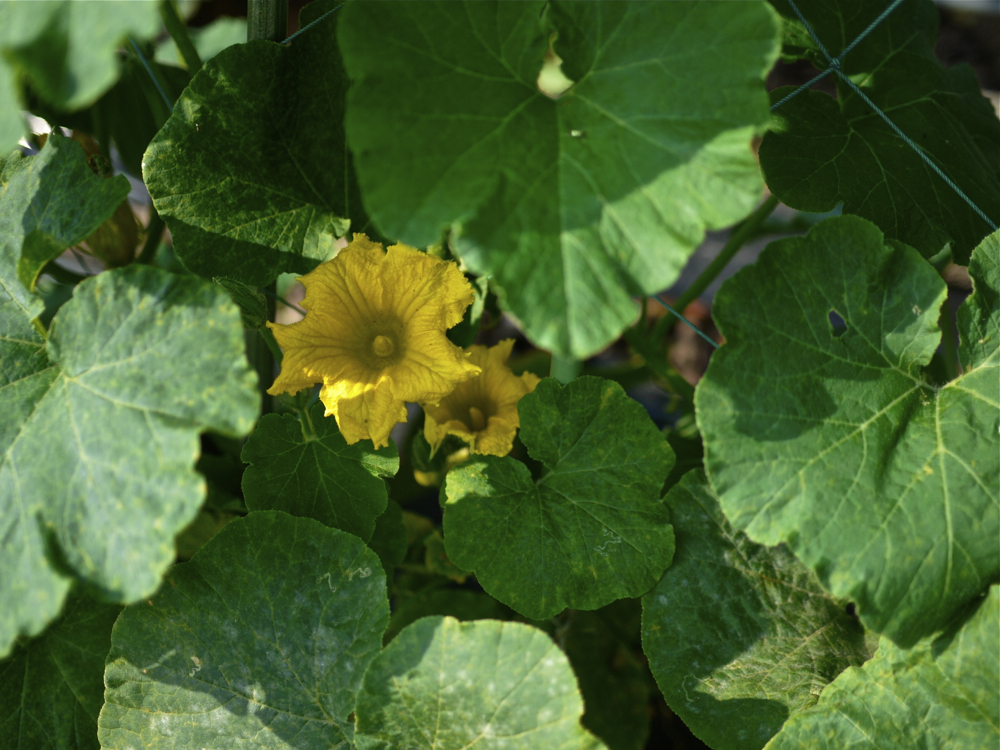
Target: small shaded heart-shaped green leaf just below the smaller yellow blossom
<point>591,530</point>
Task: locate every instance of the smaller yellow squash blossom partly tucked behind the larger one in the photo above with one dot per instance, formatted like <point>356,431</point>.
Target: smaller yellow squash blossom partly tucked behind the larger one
<point>482,411</point>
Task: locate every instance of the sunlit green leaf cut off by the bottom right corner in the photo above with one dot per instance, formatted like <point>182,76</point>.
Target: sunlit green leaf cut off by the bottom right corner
<point>940,694</point>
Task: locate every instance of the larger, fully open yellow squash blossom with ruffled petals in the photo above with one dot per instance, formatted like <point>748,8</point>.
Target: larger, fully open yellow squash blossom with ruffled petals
<point>374,336</point>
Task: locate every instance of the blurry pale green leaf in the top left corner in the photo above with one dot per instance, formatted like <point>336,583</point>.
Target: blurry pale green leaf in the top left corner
<point>68,52</point>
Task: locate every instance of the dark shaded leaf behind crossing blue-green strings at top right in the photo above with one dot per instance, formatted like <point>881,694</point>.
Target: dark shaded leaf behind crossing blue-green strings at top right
<point>821,152</point>
